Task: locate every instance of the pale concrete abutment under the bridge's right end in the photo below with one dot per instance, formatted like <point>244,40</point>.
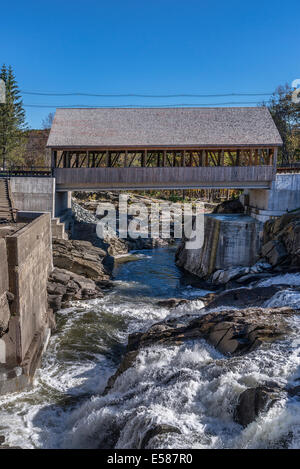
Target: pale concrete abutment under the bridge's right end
<point>283,196</point>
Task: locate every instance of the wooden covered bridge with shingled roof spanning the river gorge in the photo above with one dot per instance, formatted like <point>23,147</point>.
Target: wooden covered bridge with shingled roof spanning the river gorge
<point>173,148</point>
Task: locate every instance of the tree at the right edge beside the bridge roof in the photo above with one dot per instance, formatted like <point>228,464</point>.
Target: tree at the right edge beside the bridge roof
<point>286,115</point>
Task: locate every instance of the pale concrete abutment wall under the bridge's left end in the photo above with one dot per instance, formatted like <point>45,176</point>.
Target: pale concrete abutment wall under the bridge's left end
<point>34,194</point>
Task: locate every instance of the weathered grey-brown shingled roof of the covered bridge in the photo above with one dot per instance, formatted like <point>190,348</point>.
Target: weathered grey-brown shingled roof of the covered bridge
<point>163,127</point>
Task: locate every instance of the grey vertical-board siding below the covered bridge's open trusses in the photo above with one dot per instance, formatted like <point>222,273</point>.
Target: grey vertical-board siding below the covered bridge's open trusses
<point>227,176</point>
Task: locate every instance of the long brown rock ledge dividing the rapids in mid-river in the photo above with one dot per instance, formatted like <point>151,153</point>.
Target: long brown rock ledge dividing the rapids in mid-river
<point>232,332</point>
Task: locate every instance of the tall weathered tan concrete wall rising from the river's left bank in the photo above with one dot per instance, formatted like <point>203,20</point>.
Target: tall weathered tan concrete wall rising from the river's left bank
<point>29,263</point>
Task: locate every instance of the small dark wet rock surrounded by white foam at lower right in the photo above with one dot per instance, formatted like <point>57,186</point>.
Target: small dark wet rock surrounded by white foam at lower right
<point>253,401</point>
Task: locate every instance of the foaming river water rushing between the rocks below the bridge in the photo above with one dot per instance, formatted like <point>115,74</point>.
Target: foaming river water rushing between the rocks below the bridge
<point>192,387</point>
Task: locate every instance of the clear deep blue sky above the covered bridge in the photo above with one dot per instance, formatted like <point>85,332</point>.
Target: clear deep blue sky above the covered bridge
<point>148,46</point>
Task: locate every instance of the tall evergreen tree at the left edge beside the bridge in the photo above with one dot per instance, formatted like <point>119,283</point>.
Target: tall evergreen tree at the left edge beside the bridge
<point>12,119</point>
